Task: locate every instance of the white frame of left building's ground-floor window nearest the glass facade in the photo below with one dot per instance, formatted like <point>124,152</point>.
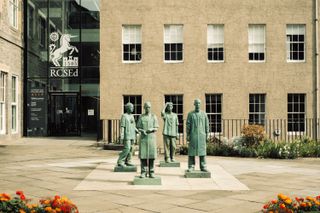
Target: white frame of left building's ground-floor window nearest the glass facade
<point>14,103</point>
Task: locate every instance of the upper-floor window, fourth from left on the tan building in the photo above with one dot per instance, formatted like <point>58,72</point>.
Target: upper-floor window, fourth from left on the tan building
<point>256,36</point>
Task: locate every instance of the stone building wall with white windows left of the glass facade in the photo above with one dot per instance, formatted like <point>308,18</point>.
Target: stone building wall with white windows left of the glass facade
<point>11,69</point>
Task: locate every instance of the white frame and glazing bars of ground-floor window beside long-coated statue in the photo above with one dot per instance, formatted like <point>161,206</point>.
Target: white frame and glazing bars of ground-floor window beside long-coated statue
<point>212,95</point>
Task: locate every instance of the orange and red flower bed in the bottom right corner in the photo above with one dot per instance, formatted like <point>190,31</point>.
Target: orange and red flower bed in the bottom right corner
<point>285,204</point>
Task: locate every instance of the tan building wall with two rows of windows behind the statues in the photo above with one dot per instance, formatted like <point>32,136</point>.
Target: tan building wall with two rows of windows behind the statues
<point>251,60</point>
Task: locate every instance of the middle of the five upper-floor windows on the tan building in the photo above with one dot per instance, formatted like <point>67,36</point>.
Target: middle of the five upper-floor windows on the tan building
<point>215,42</point>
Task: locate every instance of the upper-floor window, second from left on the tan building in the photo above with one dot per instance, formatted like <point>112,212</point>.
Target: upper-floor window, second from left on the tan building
<point>173,43</point>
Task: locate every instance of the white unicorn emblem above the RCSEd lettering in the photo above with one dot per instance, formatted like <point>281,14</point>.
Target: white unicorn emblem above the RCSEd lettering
<point>57,53</point>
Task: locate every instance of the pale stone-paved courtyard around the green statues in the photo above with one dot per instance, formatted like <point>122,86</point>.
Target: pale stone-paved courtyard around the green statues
<point>77,168</point>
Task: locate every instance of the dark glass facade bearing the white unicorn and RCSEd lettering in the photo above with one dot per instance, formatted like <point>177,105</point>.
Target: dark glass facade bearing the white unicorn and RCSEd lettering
<point>62,69</point>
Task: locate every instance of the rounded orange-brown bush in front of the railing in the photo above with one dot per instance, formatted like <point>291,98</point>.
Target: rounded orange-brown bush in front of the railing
<point>253,135</point>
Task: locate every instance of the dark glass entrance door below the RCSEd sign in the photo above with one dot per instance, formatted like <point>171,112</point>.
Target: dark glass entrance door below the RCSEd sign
<point>64,114</point>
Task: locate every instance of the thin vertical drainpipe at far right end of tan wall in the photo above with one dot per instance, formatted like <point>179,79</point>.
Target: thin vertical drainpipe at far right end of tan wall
<point>316,10</point>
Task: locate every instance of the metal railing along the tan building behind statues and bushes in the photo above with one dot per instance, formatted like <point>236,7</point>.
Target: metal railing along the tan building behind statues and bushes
<point>275,129</point>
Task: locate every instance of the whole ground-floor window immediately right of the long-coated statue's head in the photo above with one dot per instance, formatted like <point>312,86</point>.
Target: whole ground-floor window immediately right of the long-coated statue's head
<point>214,112</point>
